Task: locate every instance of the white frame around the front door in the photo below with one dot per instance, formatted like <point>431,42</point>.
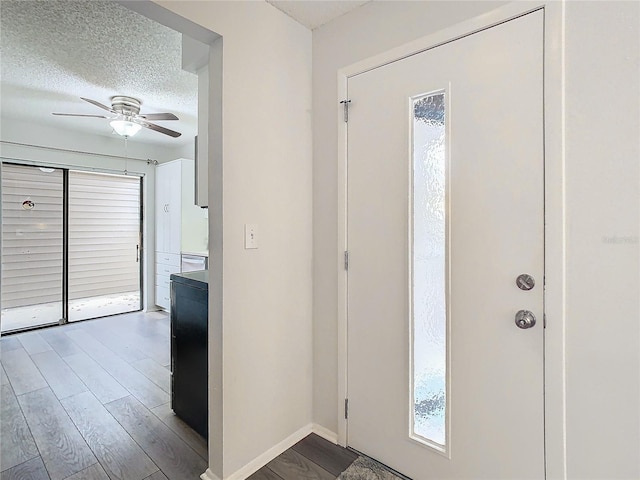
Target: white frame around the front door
<point>554,195</point>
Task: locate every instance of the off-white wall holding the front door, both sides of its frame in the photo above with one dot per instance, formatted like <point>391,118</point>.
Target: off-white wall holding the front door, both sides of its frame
<point>602,214</point>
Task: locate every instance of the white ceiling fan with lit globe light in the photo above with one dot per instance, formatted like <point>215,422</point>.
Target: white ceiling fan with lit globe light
<point>128,120</point>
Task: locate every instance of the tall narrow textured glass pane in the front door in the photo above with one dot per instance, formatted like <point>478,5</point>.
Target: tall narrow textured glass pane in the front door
<point>429,272</point>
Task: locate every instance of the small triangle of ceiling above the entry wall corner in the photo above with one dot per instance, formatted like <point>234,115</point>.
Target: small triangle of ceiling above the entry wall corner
<point>313,13</point>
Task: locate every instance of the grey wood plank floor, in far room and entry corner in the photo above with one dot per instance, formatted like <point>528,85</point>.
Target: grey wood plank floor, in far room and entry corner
<point>91,401</point>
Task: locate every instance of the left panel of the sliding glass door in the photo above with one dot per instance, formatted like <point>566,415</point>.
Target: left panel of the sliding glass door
<point>32,246</point>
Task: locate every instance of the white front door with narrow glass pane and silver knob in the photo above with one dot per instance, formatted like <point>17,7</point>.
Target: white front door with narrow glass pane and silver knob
<point>445,206</point>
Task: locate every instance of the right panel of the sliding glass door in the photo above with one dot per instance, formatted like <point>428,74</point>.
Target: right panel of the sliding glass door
<point>104,244</point>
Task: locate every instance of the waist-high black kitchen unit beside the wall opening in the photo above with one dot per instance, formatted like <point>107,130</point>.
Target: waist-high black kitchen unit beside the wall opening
<point>189,367</point>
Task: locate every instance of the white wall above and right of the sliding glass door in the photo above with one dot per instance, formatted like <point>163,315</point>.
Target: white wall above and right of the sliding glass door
<point>12,130</point>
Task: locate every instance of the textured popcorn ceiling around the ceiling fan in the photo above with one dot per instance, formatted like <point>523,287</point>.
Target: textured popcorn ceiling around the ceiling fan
<point>55,51</point>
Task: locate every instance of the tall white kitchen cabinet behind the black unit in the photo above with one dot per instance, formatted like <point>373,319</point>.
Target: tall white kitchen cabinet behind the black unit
<point>180,224</point>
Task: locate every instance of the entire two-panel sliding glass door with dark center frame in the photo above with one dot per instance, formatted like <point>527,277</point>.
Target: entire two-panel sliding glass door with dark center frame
<point>71,245</point>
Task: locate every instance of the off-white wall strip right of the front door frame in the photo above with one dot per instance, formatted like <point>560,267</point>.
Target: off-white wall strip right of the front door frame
<point>602,260</point>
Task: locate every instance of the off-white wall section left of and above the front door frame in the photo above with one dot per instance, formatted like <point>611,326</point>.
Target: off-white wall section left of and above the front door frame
<point>338,44</point>
